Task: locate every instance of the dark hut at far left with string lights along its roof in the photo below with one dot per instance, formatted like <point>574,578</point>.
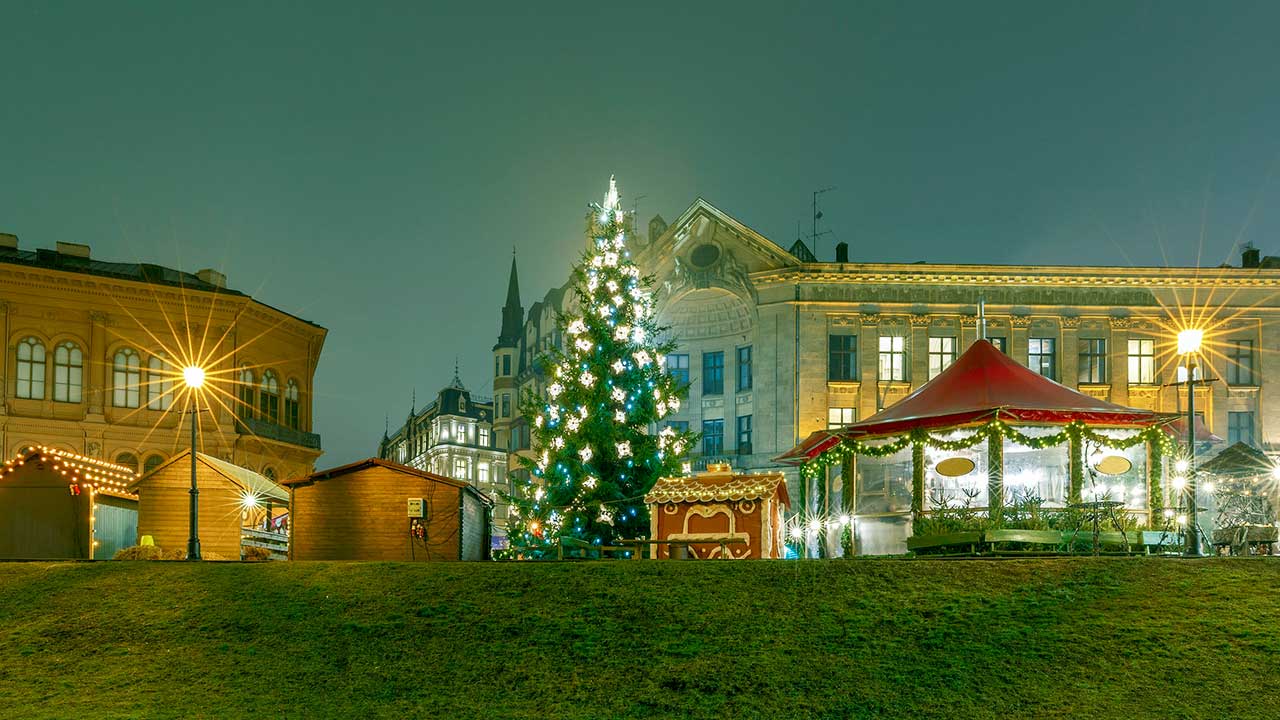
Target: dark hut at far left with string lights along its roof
<point>57,505</point>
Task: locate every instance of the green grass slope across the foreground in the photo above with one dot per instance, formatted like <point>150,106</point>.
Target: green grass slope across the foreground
<point>875,639</point>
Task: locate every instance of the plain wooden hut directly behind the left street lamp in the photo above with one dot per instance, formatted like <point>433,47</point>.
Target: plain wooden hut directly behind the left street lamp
<point>232,500</point>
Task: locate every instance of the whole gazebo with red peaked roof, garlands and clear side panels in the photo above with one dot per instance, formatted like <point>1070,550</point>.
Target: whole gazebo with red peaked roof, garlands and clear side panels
<point>985,435</point>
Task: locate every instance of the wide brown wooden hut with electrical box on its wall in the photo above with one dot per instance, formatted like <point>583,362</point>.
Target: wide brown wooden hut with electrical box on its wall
<point>381,511</point>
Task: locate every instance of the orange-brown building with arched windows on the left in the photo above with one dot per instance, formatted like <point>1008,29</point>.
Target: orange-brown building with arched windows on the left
<point>93,350</point>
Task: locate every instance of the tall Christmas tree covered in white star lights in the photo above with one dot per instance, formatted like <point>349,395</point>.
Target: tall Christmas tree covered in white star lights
<point>597,441</point>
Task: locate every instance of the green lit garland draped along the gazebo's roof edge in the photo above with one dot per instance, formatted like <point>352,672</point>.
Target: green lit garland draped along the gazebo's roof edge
<point>1075,434</point>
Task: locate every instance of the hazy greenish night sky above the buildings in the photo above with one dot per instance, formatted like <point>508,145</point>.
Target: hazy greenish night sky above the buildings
<point>371,170</point>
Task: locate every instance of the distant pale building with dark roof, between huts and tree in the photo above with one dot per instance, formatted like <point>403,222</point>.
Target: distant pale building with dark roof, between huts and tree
<point>454,438</point>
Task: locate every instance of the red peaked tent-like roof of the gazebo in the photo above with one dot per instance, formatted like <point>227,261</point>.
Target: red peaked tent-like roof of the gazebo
<point>982,385</point>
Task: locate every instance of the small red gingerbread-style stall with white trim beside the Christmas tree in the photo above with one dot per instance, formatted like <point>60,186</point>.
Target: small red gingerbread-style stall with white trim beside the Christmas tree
<point>716,505</point>
